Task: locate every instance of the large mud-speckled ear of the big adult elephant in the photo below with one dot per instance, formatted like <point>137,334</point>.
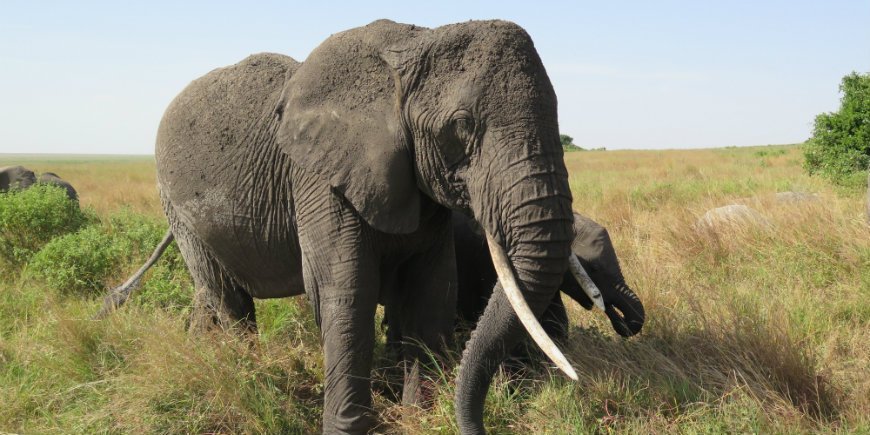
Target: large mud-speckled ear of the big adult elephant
<point>341,120</point>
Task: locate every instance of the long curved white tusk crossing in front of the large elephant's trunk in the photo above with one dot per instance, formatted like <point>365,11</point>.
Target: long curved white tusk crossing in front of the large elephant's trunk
<point>518,302</point>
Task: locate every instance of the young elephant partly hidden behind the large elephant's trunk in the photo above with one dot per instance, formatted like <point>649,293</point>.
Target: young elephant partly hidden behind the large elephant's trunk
<point>591,245</point>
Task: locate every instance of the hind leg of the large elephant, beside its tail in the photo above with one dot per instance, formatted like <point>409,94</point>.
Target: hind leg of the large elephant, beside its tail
<point>219,300</point>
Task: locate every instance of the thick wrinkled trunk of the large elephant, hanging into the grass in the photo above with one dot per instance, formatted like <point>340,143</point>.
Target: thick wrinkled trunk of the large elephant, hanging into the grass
<point>537,232</point>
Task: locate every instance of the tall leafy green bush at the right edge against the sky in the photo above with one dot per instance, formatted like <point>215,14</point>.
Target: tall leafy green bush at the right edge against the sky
<point>840,146</point>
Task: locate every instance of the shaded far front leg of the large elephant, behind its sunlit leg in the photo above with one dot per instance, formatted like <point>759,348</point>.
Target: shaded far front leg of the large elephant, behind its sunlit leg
<point>427,315</point>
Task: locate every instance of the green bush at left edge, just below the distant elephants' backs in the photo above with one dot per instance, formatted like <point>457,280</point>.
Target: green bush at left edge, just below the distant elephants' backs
<point>31,218</point>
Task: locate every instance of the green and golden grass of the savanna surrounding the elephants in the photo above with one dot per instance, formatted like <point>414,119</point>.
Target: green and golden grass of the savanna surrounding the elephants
<point>749,329</point>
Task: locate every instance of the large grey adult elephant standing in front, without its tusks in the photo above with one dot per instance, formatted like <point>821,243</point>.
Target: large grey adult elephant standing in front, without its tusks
<point>345,173</point>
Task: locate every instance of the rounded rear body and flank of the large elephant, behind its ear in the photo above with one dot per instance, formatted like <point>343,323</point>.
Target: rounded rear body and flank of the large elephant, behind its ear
<point>221,175</point>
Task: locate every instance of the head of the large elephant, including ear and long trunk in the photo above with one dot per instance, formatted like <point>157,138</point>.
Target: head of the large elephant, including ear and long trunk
<point>395,117</point>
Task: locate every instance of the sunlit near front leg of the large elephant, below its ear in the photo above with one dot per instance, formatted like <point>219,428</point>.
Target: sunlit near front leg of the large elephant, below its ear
<point>342,280</point>
